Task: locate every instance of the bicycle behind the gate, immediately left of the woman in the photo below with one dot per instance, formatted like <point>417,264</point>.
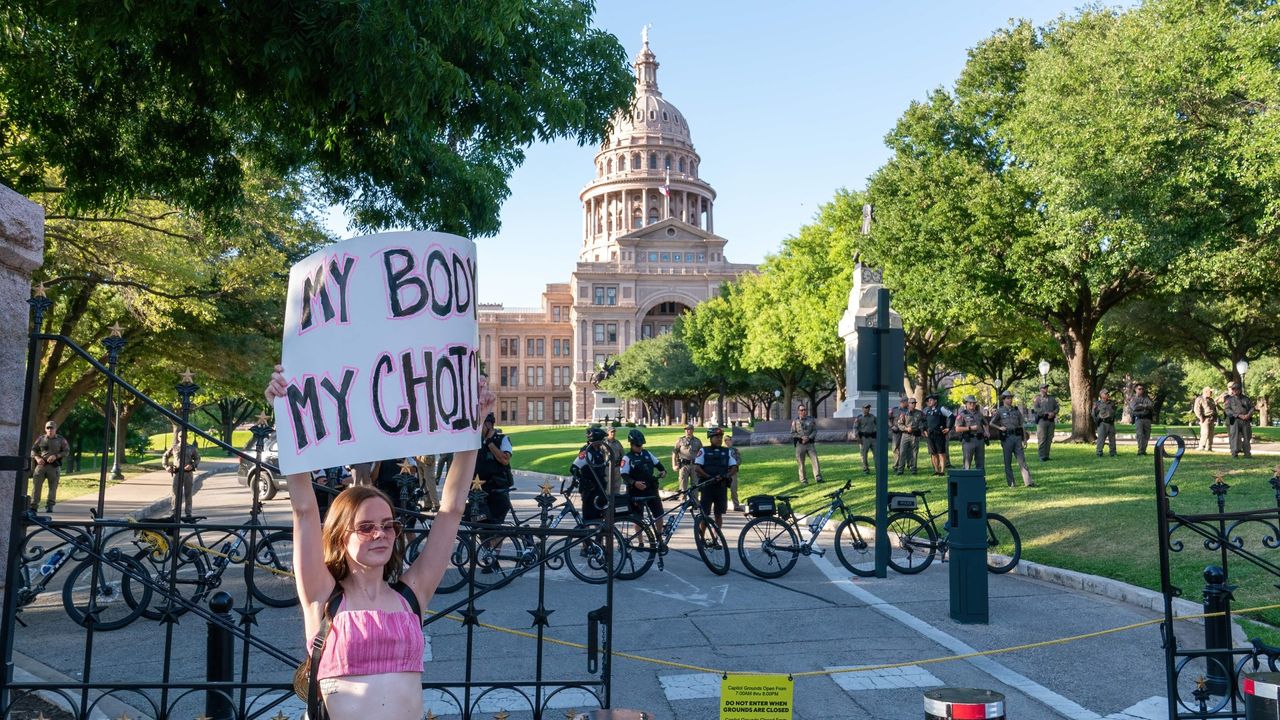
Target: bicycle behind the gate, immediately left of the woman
<point>269,576</point>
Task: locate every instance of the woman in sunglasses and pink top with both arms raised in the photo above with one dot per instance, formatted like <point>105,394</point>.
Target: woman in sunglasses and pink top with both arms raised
<point>373,659</point>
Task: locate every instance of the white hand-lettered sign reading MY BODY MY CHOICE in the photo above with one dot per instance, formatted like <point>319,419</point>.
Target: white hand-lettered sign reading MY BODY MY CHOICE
<point>380,352</point>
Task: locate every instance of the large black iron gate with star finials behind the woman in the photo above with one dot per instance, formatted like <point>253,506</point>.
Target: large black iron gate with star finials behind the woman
<point>125,572</point>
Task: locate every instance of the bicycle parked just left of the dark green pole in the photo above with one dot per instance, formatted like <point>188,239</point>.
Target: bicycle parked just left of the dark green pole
<point>770,545</point>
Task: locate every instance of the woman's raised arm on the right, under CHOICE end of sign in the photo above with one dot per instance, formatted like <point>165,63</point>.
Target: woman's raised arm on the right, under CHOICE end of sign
<point>426,573</point>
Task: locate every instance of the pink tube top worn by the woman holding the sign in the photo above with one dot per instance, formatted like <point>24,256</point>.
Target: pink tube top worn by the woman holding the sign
<point>371,642</point>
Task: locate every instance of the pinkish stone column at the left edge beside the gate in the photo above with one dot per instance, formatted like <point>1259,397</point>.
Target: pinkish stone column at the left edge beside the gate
<point>22,250</point>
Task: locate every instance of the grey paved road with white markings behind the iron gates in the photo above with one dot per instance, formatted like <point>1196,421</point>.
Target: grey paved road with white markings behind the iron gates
<point>813,619</point>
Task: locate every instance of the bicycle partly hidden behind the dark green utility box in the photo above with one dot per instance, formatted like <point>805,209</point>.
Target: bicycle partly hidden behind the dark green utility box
<point>918,539</point>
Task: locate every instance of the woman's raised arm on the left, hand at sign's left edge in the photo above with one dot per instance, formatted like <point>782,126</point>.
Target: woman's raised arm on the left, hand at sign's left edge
<point>313,580</point>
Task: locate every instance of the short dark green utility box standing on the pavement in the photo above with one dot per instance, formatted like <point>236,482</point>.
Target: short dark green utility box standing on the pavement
<point>967,540</point>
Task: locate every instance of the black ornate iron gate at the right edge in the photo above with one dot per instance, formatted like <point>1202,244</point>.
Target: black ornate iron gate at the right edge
<point>1204,676</point>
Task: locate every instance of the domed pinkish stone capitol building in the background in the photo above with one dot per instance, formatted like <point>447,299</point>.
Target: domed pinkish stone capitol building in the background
<point>650,253</point>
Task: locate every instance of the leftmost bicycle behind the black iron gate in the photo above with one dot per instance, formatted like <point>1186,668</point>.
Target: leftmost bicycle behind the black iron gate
<point>77,589</point>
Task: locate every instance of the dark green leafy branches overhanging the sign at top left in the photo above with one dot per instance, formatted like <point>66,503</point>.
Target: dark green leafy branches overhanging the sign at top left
<point>409,113</point>
